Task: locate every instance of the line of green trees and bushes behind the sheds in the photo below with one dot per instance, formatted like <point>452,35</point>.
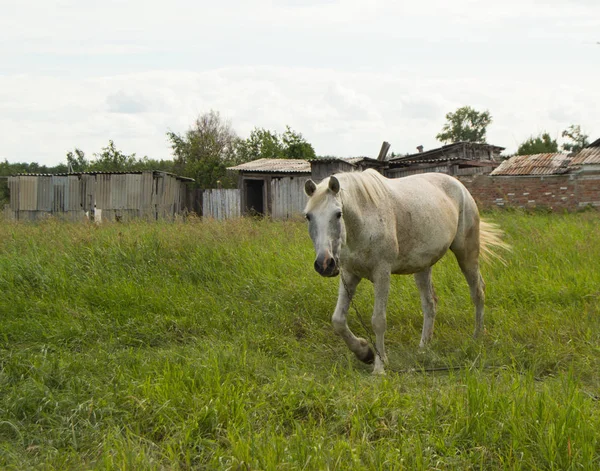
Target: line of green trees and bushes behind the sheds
<point>211,145</point>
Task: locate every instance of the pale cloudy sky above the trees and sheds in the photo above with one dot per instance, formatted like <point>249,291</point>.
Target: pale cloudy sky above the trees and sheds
<point>346,74</point>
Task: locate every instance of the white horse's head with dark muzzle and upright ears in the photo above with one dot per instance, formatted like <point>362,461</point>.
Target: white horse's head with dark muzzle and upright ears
<point>325,224</point>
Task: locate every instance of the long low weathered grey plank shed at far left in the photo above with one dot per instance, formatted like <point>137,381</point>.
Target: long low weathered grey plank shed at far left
<point>113,196</point>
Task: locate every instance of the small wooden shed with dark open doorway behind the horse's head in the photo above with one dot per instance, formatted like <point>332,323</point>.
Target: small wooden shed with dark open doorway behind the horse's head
<point>273,187</point>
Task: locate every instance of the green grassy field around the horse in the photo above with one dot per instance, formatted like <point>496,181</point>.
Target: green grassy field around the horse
<point>207,345</point>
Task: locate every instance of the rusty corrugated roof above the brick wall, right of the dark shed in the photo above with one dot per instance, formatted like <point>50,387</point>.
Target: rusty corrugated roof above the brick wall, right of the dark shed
<point>536,164</point>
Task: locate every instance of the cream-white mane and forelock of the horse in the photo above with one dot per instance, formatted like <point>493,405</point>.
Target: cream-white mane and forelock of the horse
<point>360,189</point>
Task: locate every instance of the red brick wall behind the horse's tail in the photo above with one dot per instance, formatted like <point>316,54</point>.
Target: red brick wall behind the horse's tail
<point>556,192</point>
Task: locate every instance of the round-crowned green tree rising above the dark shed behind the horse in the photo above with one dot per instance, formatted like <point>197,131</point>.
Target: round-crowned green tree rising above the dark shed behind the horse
<point>465,124</point>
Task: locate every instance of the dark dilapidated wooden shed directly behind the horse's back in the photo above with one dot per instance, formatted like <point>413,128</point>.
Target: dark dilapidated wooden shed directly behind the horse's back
<point>459,158</point>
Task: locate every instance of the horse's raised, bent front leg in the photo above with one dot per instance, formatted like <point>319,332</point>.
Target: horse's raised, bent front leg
<point>359,346</point>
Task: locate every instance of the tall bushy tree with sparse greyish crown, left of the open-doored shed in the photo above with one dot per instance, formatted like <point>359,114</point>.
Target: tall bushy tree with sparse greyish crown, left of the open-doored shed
<point>206,150</point>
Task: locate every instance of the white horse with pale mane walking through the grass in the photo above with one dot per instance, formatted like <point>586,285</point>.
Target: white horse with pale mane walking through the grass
<point>367,226</point>
